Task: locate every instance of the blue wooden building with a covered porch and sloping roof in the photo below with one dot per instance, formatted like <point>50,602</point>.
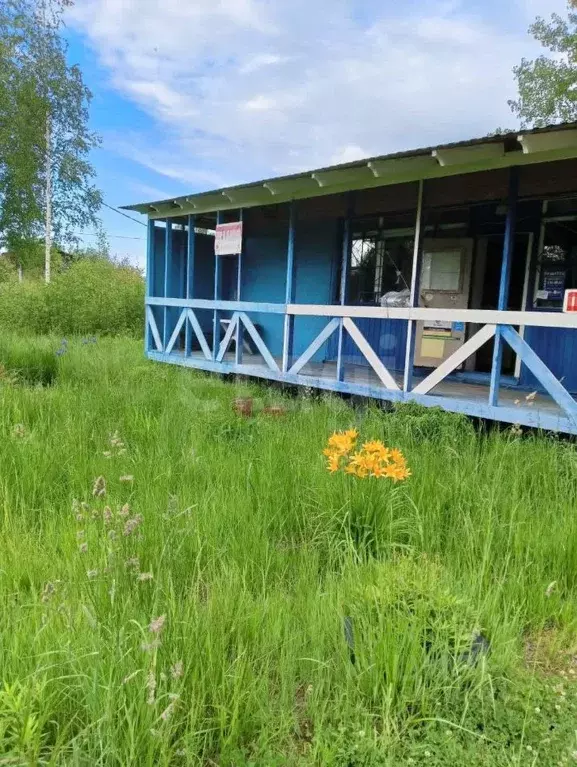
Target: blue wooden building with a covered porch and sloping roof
<point>436,275</point>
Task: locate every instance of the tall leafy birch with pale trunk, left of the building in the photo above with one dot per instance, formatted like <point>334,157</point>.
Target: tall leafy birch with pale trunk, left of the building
<point>44,137</point>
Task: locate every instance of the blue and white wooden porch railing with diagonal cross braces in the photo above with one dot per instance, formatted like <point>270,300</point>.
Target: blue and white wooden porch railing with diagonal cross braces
<point>499,325</point>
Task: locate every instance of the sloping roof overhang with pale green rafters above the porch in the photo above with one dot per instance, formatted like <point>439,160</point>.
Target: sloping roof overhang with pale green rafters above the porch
<point>552,142</point>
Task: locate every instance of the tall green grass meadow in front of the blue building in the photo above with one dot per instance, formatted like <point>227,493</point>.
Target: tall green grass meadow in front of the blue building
<point>182,585</point>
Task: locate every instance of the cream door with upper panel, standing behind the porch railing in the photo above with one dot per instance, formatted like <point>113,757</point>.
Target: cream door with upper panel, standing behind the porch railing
<point>445,281</point>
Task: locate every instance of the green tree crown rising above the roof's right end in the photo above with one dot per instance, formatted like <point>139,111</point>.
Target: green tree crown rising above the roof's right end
<point>547,85</point>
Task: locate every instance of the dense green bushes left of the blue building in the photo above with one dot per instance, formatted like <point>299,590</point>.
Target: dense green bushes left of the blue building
<point>93,296</point>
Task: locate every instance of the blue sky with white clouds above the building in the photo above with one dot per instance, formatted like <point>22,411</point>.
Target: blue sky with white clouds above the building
<point>194,94</point>
